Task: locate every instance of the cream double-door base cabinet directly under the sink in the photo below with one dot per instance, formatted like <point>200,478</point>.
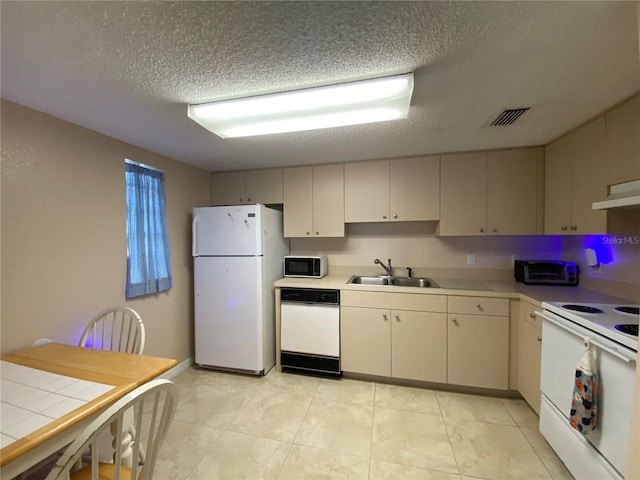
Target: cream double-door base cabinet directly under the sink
<point>394,342</point>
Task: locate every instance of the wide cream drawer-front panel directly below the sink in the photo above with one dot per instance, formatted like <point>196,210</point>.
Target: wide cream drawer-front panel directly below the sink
<point>396,301</point>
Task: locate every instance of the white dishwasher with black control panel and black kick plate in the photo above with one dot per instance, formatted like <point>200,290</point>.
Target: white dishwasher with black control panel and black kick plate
<point>310,330</point>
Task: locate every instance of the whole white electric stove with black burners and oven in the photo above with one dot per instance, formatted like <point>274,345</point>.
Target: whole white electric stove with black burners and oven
<point>610,331</point>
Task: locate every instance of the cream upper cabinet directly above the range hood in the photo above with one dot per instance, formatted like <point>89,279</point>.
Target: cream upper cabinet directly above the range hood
<point>623,142</point>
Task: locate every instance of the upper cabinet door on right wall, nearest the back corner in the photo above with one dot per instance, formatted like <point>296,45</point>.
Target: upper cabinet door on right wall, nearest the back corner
<point>557,187</point>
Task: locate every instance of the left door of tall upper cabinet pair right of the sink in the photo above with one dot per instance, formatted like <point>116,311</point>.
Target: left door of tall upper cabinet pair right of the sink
<point>463,183</point>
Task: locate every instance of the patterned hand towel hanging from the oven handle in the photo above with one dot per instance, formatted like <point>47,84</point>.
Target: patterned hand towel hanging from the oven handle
<point>584,408</point>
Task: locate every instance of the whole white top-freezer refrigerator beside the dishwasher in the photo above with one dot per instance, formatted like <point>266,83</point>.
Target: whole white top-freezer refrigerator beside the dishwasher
<point>238,254</point>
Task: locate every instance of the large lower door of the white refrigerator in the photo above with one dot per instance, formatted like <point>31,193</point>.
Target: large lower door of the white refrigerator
<point>228,312</point>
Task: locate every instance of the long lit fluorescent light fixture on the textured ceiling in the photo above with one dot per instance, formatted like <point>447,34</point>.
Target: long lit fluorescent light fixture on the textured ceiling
<point>367,101</point>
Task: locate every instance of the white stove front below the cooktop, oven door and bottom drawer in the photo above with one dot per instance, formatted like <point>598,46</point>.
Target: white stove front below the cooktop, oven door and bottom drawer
<point>563,344</point>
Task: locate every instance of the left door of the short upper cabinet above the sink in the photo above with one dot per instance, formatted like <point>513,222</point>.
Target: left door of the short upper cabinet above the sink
<point>366,191</point>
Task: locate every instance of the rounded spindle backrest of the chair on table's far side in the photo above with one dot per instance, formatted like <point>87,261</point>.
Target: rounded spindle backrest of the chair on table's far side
<point>119,329</point>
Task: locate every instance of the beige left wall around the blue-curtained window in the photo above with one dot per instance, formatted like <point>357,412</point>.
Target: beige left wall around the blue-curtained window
<point>64,239</point>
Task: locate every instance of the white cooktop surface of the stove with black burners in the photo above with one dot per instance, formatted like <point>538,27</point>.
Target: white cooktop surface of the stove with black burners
<point>618,322</point>
